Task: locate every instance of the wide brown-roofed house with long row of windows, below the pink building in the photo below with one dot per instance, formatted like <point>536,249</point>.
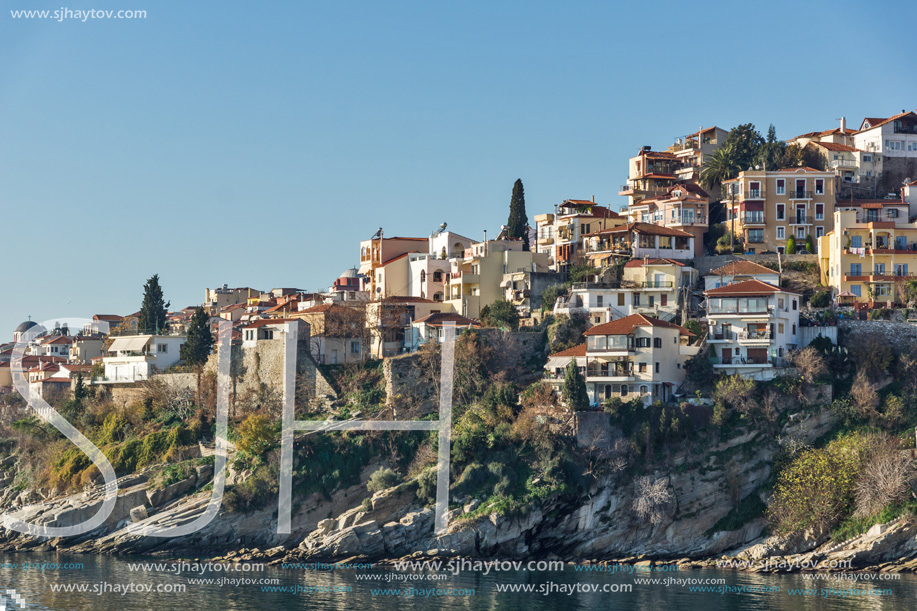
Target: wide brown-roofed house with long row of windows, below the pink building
<point>637,241</point>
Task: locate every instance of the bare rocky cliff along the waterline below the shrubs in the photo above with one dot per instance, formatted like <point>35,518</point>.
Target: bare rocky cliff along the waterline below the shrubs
<point>700,491</point>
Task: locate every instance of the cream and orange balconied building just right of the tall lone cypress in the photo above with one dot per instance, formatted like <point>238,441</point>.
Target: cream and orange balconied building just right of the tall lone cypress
<point>560,235</point>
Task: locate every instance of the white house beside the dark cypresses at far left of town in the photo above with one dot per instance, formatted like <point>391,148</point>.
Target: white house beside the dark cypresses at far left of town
<point>133,358</point>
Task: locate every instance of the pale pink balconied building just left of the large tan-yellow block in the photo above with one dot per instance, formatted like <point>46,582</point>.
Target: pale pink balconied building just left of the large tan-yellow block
<point>684,206</point>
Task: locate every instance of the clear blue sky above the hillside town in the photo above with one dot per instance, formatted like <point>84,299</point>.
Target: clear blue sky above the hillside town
<point>253,145</point>
